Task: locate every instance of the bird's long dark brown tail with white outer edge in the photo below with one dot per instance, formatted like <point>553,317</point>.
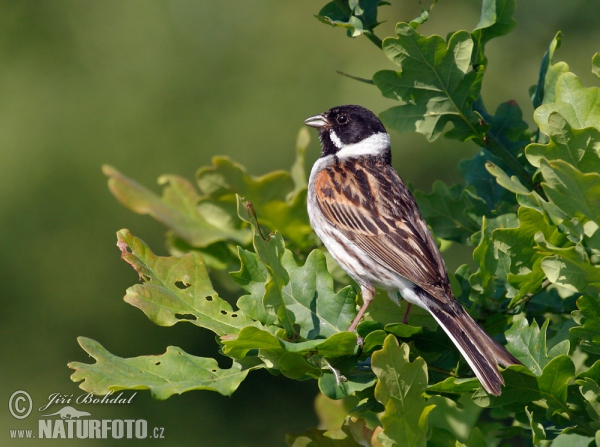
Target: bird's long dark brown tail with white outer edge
<point>482,352</point>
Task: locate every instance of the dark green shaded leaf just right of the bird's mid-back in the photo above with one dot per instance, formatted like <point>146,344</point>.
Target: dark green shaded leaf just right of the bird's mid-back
<point>453,213</point>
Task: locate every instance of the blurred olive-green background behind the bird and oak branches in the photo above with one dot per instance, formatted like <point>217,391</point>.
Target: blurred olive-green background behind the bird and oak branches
<point>156,87</point>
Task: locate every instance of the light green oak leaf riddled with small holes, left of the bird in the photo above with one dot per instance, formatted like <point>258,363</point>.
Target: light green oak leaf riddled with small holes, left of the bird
<point>176,289</point>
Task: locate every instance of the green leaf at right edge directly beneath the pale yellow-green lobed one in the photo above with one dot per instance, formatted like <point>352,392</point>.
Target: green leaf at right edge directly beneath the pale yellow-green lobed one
<point>578,147</point>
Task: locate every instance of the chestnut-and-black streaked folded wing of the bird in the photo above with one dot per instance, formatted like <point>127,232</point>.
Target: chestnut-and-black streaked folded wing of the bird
<point>370,205</point>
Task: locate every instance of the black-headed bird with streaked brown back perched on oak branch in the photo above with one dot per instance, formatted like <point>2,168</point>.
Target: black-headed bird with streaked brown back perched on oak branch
<point>370,223</point>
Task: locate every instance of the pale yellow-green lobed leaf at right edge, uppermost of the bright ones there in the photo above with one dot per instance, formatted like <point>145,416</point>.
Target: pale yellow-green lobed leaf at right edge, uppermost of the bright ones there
<point>578,105</point>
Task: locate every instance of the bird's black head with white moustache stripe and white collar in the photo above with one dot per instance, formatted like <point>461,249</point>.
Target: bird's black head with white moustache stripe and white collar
<point>350,131</point>
